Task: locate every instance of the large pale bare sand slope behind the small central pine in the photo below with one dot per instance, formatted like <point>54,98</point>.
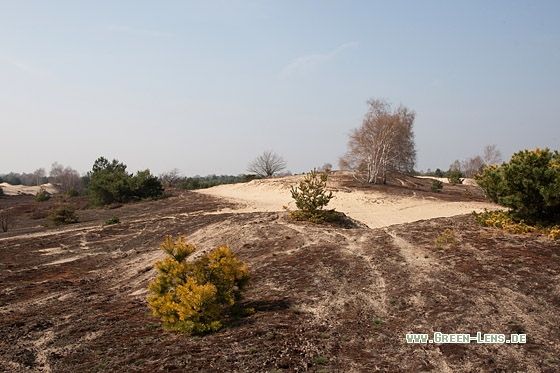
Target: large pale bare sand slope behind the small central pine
<point>372,208</point>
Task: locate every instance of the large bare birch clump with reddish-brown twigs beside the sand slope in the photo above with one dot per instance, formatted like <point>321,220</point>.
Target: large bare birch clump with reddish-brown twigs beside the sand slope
<point>384,142</point>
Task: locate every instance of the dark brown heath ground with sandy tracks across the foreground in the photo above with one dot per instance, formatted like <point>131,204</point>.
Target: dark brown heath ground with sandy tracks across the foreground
<point>331,299</point>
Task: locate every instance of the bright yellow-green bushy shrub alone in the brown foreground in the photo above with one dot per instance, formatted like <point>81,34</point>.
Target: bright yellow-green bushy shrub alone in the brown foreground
<point>193,297</point>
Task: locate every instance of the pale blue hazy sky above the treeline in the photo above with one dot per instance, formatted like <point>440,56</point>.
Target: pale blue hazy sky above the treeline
<point>206,86</point>
